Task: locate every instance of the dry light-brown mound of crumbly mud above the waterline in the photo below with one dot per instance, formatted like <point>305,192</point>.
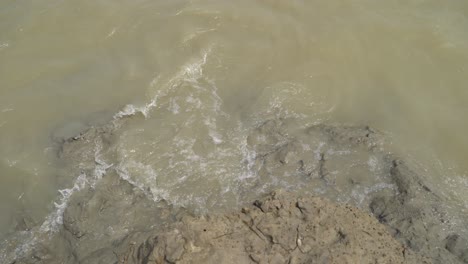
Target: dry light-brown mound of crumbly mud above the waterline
<point>281,228</point>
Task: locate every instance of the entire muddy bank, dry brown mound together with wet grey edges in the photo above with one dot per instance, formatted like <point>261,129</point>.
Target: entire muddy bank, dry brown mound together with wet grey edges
<point>111,220</point>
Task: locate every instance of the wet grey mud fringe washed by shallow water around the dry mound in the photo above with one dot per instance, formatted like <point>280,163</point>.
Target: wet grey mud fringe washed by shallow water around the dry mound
<point>376,181</point>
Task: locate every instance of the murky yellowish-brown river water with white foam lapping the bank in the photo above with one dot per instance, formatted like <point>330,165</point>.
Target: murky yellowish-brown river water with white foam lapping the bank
<point>198,74</point>
